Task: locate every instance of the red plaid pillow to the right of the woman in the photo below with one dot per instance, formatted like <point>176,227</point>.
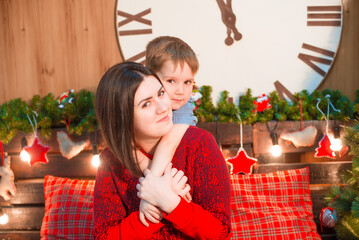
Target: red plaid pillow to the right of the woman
<point>272,206</point>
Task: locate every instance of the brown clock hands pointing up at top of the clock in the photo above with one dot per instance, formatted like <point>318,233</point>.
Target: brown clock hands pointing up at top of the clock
<point>229,20</point>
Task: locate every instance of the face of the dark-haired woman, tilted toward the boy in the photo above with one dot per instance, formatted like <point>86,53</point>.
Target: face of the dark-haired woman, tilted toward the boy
<point>152,110</point>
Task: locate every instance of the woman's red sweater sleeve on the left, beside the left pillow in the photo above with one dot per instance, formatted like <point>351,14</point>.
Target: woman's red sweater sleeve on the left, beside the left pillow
<point>110,217</point>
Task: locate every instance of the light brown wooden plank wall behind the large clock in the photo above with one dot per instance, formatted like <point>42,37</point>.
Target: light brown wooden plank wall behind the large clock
<point>51,46</point>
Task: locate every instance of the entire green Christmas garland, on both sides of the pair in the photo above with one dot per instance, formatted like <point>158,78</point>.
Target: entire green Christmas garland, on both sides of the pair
<point>75,111</point>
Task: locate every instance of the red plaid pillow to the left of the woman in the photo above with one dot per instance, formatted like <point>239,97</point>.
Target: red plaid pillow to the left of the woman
<point>68,208</point>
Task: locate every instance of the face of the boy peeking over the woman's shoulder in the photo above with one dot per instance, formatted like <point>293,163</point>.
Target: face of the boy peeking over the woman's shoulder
<point>178,82</point>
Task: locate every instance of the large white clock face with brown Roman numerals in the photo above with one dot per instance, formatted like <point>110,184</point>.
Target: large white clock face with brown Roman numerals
<point>240,44</point>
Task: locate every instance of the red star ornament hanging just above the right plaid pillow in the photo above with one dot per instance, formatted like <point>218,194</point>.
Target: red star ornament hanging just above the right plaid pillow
<point>241,162</point>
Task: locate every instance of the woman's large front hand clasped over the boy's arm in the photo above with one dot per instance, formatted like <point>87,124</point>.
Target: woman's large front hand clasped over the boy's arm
<point>158,190</point>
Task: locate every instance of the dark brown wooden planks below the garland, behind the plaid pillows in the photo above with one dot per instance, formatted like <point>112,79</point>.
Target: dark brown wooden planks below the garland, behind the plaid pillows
<point>26,209</point>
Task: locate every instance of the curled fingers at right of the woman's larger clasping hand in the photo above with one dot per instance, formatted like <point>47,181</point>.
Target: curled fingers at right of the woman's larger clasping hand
<point>179,184</point>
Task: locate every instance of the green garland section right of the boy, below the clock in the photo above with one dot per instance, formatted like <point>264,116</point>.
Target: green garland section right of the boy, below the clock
<point>281,110</point>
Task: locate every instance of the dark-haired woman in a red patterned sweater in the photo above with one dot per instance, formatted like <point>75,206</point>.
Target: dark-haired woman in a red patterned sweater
<point>134,111</point>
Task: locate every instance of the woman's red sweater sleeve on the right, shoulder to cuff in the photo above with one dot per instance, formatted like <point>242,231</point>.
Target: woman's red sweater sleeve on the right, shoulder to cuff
<point>208,216</point>
